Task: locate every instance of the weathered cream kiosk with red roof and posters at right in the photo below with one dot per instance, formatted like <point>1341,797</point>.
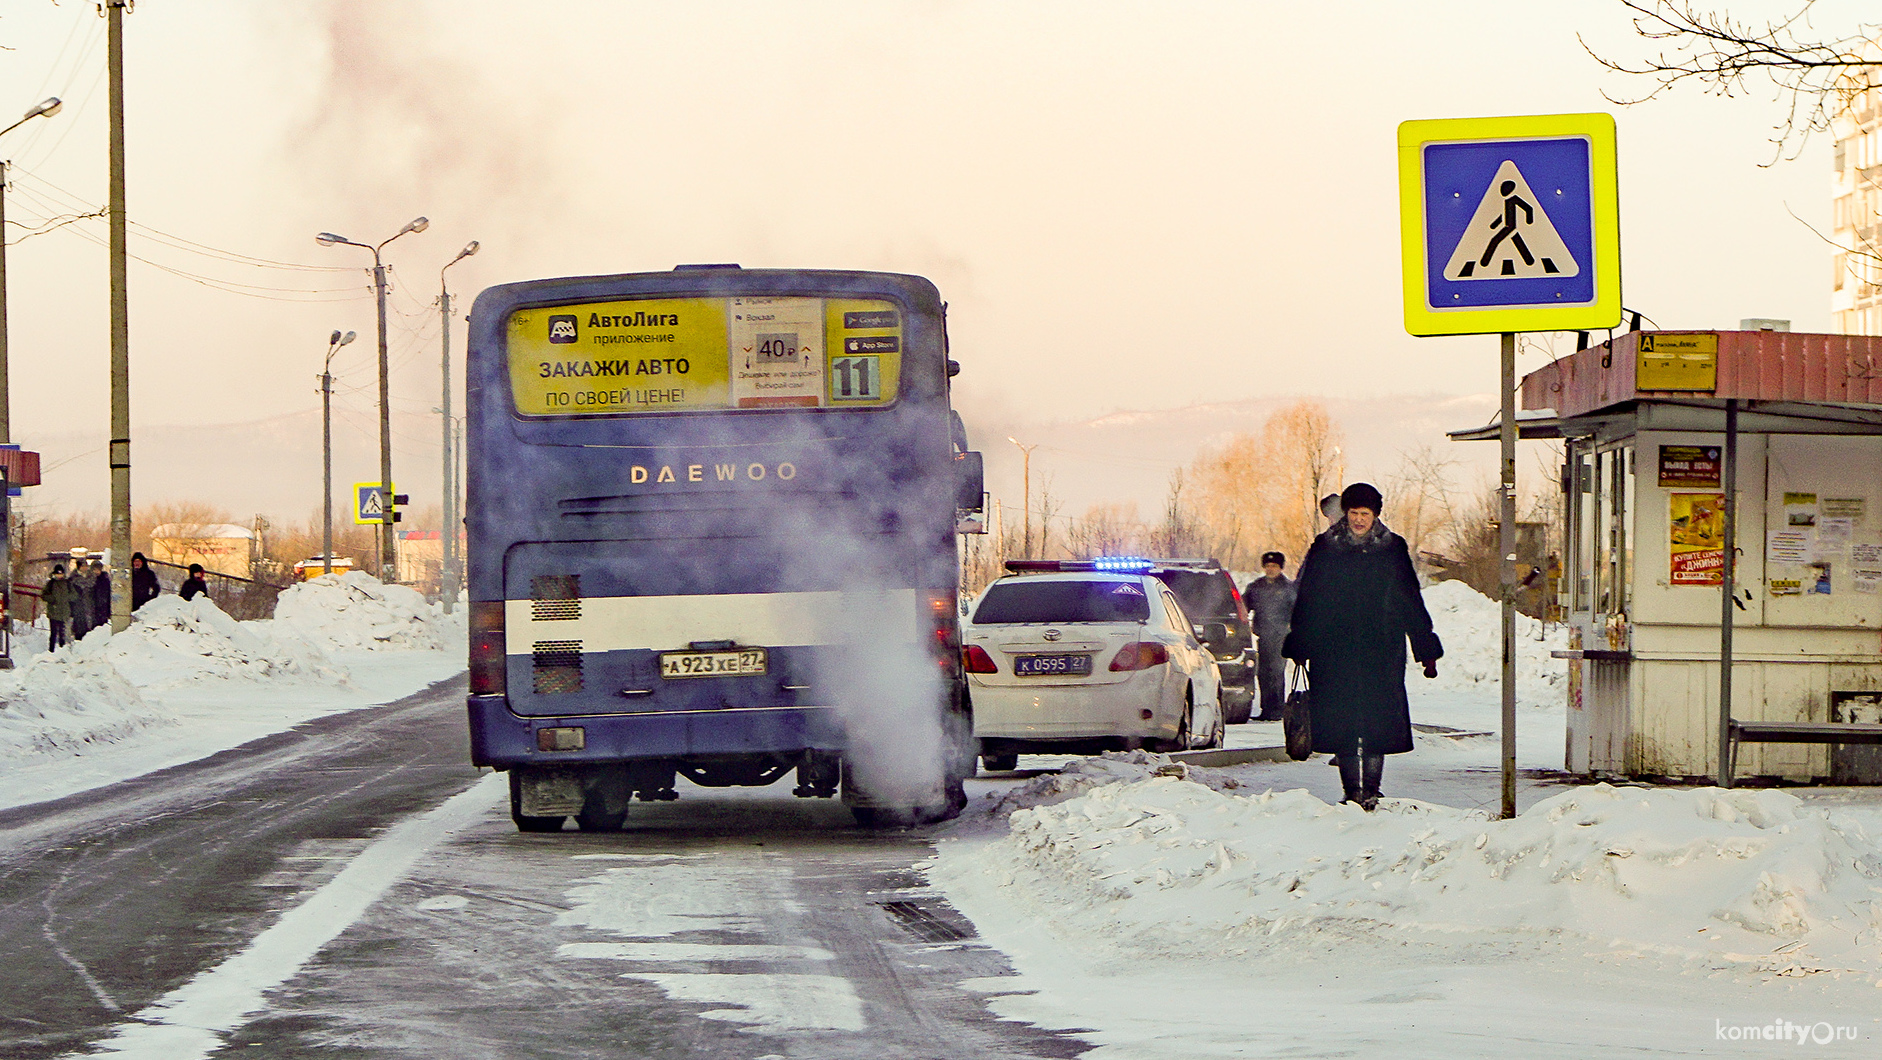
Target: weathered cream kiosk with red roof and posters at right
<point>1657,428</point>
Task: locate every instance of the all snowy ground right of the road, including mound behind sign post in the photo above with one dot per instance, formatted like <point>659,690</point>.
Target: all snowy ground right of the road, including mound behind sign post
<point>1164,910</point>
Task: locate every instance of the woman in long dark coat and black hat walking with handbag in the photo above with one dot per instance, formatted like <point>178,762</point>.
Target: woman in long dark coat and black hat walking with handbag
<point>1358,603</point>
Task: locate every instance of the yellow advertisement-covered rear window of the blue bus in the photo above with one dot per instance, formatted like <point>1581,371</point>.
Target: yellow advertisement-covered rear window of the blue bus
<point>695,355</point>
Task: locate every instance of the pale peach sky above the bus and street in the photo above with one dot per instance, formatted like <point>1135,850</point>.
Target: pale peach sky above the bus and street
<point>1128,206</point>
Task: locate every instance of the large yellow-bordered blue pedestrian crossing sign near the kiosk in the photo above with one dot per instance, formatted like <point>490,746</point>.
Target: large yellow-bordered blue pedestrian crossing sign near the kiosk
<point>1510,225</point>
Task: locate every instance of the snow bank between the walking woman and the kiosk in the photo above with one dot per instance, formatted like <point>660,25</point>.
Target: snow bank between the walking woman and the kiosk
<point>1471,628</point>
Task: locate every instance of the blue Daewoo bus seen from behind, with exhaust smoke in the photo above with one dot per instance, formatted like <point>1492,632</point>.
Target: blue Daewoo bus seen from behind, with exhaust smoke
<point>712,536</point>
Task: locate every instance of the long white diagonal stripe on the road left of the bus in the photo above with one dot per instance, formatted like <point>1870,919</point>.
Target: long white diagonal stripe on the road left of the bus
<point>195,1020</point>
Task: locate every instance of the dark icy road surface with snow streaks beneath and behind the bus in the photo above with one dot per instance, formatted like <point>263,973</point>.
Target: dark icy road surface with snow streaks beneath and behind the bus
<point>355,888</point>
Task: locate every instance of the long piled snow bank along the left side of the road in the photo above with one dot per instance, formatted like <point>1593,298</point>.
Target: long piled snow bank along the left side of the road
<point>187,681</point>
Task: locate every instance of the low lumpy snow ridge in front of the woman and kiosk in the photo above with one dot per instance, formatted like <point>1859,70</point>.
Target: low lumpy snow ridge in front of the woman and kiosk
<point>1168,867</point>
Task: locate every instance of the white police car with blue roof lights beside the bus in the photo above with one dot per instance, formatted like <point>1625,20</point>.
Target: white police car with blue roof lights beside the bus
<point>1087,658</point>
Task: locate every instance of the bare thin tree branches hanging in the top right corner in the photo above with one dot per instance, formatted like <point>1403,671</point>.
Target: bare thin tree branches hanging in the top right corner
<point>1815,76</point>
